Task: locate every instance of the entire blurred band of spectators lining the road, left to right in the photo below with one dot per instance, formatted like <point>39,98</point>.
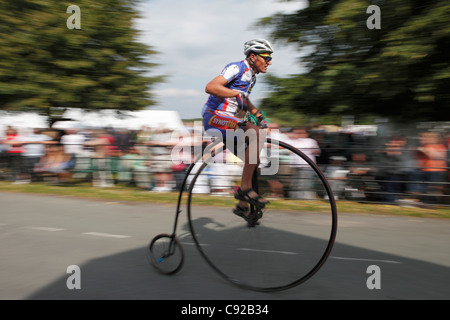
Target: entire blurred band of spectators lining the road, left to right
<point>405,170</point>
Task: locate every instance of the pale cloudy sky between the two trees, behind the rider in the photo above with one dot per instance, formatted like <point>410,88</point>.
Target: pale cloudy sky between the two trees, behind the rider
<point>197,38</point>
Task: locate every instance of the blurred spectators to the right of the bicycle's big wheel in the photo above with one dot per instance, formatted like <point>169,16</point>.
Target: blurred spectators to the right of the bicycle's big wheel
<point>401,169</point>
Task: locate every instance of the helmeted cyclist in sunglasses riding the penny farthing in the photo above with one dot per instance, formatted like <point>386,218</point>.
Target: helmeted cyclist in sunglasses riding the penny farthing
<point>227,102</point>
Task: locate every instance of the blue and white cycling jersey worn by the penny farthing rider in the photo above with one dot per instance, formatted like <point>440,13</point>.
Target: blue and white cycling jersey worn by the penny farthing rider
<point>240,77</point>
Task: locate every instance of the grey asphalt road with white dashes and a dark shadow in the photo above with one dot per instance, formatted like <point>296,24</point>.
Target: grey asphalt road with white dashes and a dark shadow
<point>42,236</point>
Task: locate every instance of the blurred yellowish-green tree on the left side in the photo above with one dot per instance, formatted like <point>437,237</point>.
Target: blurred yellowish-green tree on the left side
<point>45,65</point>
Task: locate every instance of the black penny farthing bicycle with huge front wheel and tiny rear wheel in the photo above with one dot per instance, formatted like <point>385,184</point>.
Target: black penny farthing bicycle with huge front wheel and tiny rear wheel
<point>281,246</point>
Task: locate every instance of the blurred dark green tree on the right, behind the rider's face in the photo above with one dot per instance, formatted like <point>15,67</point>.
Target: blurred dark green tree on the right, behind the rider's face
<point>400,71</point>
